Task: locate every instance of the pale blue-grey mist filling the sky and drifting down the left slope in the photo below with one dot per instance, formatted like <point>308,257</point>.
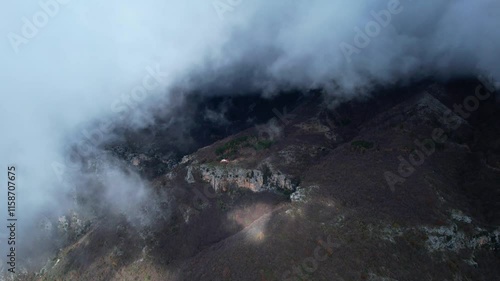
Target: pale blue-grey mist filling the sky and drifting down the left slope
<point>74,70</point>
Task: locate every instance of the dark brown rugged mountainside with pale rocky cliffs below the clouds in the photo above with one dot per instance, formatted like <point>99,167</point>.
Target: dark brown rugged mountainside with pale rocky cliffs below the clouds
<point>397,187</point>
